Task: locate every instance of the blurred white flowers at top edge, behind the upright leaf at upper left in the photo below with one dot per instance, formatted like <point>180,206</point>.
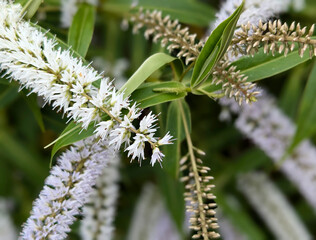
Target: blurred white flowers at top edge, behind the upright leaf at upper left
<point>69,8</point>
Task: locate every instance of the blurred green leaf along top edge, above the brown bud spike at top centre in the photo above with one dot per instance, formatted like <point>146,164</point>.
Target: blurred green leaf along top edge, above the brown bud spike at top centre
<point>187,11</point>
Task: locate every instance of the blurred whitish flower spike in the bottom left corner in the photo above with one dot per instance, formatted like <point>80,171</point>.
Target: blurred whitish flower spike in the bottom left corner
<point>7,229</point>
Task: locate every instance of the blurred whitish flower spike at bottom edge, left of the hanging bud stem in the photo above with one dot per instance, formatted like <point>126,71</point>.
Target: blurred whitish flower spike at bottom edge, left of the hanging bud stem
<point>151,220</point>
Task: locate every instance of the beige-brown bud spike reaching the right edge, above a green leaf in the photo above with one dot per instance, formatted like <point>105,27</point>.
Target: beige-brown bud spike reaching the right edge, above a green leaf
<point>274,37</point>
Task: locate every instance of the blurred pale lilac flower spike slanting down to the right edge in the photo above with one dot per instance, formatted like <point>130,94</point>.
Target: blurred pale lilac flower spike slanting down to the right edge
<point>272,131</point>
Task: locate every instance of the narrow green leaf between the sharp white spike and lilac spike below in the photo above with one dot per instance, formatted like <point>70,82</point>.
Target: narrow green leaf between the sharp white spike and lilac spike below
<point>71,134</point>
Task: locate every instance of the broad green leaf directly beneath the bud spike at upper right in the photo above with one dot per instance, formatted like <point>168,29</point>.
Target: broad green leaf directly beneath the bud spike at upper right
<point>265,65</point>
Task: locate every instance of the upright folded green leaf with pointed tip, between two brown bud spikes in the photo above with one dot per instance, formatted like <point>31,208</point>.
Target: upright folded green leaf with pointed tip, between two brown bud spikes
<point>214,48</point>
